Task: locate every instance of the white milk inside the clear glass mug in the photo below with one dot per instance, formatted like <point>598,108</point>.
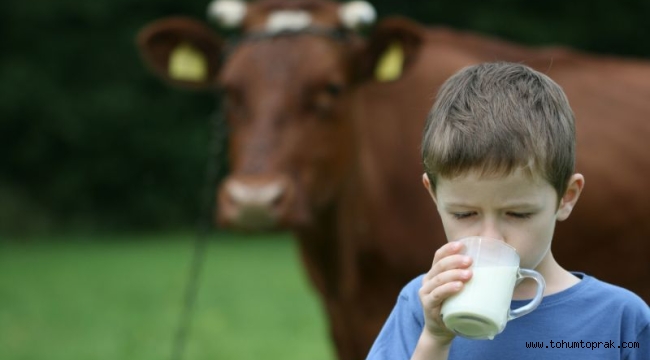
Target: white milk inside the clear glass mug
<point>481,309</point>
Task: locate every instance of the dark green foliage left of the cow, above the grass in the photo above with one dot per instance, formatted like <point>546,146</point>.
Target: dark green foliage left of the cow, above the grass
<point>89,138</point>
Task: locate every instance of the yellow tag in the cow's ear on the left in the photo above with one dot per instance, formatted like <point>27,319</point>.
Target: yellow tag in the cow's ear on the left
<point>186,63</point>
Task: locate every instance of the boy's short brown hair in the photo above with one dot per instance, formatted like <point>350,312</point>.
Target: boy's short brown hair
<point>495,118</point>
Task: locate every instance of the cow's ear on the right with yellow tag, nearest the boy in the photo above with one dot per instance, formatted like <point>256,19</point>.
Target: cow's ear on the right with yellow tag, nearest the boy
<point>391,49</point>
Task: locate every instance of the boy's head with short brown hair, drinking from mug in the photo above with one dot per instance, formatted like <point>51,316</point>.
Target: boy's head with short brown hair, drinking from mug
<point>499,153</point>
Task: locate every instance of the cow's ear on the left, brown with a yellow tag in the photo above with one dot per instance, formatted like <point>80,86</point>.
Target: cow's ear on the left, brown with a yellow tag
<point>182,51</point>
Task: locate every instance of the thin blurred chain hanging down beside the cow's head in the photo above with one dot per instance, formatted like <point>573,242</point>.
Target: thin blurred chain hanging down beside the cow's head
<point>204,224</point>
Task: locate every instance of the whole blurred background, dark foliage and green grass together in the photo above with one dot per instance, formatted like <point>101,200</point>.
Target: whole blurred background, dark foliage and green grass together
<point>101,174</point>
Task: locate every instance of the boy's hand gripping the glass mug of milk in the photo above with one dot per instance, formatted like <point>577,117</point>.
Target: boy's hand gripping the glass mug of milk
<point>449,272</point>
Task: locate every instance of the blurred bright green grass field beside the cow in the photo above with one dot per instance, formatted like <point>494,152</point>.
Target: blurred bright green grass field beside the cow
<point>121,297</point>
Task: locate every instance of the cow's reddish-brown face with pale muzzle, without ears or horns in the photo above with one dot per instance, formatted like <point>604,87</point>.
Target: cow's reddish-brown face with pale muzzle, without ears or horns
<point>287,101</point>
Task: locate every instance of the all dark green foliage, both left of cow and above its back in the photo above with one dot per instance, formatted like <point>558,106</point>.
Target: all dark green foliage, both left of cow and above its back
<point>89,138</point>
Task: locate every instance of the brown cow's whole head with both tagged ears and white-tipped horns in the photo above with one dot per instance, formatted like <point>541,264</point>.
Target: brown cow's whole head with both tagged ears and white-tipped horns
<point>288,82</point>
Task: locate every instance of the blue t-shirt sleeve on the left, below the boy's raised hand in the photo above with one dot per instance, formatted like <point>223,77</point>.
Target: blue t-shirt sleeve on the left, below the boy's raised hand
<point>402,329</point>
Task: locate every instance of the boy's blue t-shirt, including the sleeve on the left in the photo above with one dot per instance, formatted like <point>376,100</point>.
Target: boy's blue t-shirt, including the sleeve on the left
<point>590,320</point>
